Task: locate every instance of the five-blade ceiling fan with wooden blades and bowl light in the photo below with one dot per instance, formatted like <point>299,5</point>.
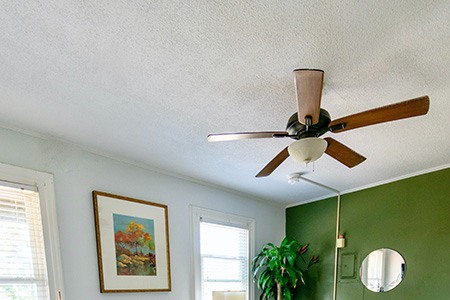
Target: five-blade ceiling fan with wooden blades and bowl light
<point>311,121</point>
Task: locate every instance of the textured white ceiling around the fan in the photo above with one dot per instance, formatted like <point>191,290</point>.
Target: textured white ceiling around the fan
<point>146,81</point>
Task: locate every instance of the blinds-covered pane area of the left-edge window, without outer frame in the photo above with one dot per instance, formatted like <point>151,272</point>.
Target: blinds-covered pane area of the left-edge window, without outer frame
<point>23,271</point>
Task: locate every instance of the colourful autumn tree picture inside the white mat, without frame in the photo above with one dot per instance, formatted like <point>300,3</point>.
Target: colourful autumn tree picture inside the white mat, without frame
<point>135,246</point>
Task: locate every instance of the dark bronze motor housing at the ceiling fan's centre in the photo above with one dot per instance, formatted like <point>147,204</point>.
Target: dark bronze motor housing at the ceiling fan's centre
<point>297,130</point>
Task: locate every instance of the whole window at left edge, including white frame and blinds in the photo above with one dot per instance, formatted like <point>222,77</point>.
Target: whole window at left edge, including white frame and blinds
<point>29,260</point>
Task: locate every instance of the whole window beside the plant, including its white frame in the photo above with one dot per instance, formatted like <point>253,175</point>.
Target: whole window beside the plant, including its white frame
<point>223,249</point>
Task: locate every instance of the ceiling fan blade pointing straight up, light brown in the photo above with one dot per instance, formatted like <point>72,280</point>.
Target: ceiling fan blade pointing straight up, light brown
<point>308,86</point>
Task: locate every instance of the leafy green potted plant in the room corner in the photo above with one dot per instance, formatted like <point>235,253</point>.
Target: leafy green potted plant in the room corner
<point>277,269</point>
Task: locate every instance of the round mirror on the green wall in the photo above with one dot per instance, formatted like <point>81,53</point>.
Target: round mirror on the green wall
<point>382,270</point>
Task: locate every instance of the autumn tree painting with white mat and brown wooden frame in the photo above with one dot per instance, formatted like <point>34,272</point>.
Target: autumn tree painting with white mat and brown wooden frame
<point>132,244</point>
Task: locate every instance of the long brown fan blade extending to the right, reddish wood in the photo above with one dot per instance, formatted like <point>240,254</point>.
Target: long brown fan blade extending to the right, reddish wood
<point>402,110</point>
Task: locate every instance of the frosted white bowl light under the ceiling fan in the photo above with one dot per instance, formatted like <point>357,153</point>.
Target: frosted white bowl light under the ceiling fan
<point>307,150</point>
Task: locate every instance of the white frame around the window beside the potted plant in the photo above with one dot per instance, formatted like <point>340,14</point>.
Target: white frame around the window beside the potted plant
<point>198,214</point>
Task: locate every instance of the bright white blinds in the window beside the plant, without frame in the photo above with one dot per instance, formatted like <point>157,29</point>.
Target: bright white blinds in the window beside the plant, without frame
<point>224,252</point>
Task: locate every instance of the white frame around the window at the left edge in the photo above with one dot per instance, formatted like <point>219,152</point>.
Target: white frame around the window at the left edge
<point>44,184</point>
